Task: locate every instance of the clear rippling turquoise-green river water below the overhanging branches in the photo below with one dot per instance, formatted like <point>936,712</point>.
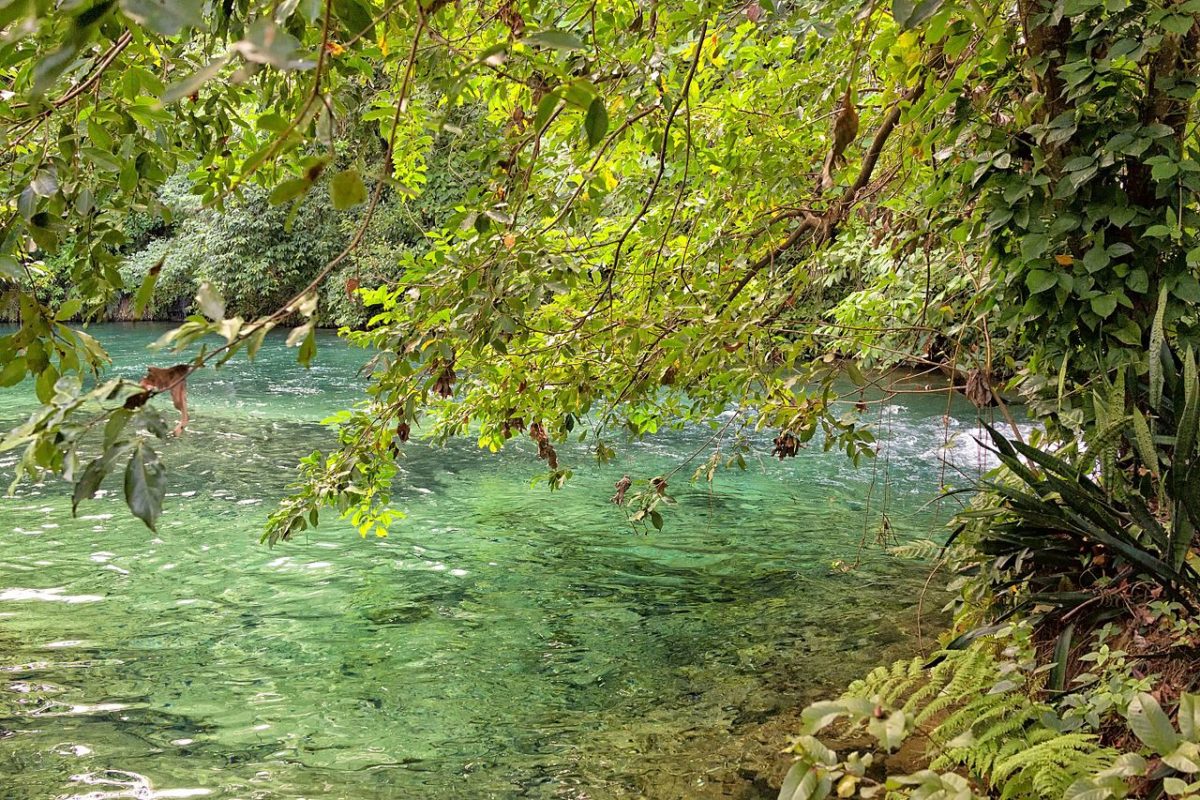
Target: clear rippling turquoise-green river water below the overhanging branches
<point>505,642</point>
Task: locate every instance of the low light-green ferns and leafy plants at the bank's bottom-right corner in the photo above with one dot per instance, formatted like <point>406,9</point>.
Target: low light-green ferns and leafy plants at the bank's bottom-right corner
<point>983,736</point>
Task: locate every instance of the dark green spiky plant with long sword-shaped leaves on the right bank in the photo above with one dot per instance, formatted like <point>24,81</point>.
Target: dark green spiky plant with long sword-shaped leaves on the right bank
<point>1072,532</point>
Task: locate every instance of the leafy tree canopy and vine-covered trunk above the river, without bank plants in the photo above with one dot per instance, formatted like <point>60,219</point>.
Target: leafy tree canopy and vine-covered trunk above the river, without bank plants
<point>640,234</point>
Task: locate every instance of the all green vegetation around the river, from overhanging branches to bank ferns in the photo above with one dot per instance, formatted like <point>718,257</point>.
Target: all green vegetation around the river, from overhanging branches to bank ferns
<point>596,221</point>
